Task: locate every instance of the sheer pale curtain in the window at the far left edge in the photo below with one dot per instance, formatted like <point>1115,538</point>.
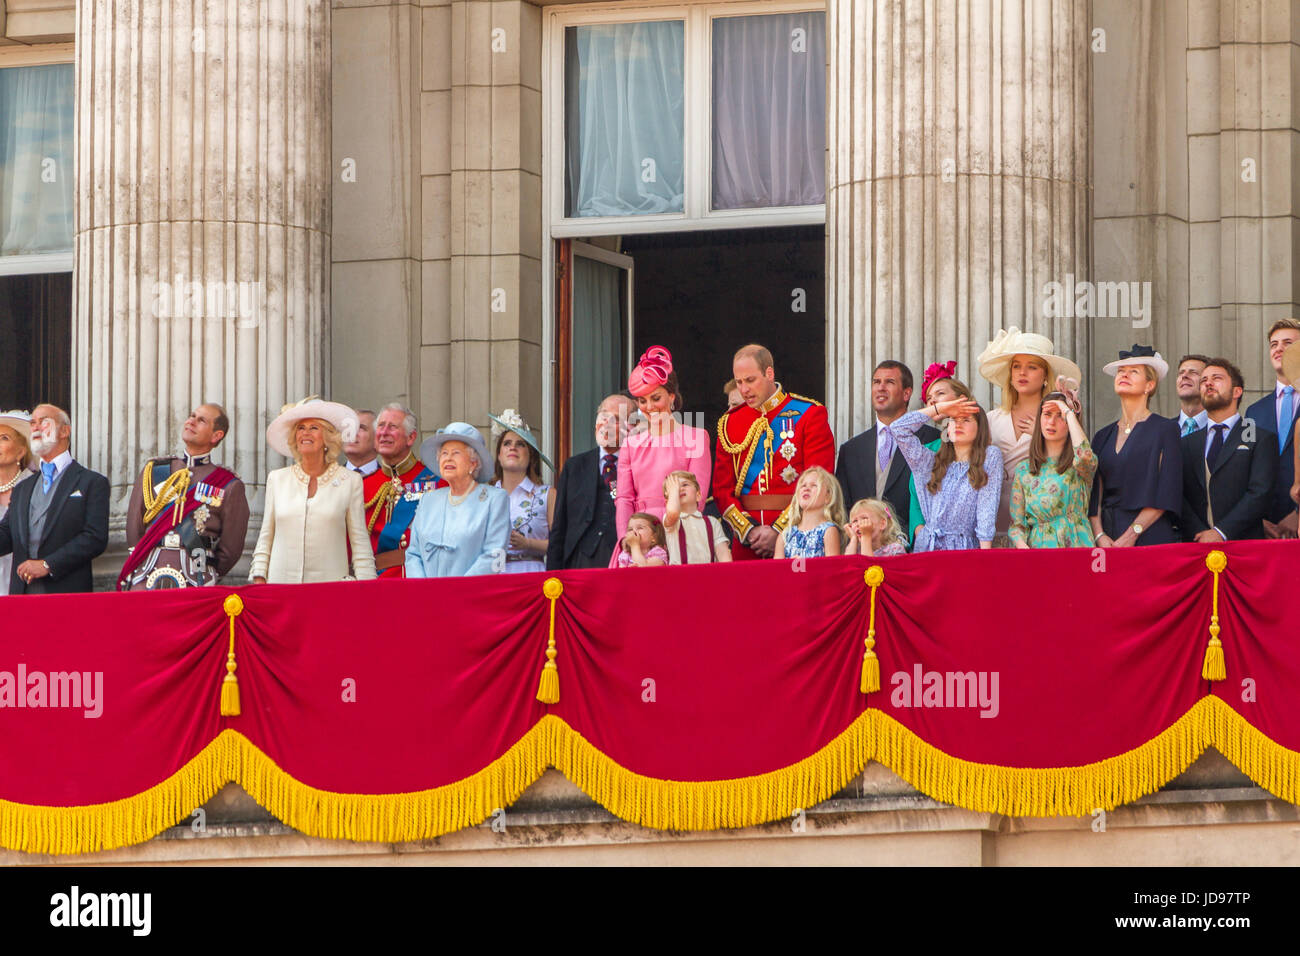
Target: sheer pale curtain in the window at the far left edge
<point>37,159</point>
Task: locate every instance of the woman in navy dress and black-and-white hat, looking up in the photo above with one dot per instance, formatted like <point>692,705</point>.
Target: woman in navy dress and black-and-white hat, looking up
<point>1138,488</point>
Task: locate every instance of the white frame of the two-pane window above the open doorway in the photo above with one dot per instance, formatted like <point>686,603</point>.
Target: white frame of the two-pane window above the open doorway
<point>697,142</point>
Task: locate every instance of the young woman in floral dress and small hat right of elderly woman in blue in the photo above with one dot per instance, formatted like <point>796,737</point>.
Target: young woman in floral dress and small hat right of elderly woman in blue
<point>532,504</point>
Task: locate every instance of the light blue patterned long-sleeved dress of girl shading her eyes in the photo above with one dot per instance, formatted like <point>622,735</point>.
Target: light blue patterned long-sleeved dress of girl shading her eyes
<point>959,517</point>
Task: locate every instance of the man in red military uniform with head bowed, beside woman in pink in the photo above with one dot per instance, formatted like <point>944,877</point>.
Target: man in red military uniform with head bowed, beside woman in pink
<point>764,447</point>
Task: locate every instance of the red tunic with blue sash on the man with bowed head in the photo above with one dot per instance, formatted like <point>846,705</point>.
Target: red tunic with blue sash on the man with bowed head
<point>756,458</point>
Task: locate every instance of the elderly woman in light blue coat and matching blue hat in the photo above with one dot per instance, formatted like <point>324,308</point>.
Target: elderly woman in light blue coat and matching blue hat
<point>463,529</point>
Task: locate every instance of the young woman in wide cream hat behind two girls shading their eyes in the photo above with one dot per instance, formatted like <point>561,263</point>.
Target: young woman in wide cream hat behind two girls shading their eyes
<point>1025,366</point>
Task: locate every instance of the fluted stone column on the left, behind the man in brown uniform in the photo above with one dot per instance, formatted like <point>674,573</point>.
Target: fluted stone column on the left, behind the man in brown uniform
<point>203,217</point>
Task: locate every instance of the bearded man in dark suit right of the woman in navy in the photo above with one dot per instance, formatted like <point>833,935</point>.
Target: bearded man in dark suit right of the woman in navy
<point>1229,466</point>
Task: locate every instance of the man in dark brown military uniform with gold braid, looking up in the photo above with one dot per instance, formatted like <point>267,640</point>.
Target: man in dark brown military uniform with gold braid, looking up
<point>188,517</point>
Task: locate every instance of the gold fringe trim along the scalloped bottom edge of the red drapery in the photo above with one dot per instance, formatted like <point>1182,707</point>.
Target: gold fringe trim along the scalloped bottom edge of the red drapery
<point>655,803</point>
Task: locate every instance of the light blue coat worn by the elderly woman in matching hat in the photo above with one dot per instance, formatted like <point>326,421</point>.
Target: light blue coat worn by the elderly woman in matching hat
<point>453,540</point>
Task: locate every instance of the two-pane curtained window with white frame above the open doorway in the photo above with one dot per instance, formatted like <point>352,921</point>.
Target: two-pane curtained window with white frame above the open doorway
<point>686,118</point>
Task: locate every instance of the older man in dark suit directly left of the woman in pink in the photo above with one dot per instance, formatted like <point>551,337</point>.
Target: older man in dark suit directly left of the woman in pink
<point>583,534</point>
